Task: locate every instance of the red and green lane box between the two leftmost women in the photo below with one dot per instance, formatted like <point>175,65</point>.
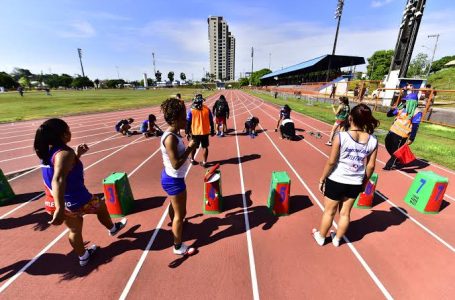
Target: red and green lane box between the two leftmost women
<point>118,194</point>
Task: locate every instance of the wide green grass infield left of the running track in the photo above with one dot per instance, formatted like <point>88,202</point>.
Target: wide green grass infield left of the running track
<point>36,104</point>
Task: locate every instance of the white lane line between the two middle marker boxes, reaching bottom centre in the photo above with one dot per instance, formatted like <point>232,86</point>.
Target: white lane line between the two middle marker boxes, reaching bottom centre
<point>254,282</point>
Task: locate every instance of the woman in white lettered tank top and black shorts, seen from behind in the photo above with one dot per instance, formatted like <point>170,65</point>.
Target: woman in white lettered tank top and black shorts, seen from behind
<point>349,167</point>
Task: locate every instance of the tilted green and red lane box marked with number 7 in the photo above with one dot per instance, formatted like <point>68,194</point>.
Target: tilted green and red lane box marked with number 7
<point>426,192</point>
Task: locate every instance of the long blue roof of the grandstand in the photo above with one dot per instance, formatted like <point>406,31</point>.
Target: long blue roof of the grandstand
<point>320,63</point>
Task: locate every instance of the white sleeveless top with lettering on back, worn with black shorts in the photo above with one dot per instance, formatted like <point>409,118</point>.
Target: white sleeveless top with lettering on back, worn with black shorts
<point>350,168</point>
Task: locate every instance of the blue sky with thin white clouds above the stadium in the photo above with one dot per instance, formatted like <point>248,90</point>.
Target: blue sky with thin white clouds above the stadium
<point>118,37</point>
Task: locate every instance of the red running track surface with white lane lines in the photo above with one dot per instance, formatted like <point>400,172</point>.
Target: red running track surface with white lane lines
<point>245,252</point>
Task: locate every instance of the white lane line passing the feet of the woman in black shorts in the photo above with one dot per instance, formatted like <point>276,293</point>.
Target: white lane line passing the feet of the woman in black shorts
<point>362,261</point>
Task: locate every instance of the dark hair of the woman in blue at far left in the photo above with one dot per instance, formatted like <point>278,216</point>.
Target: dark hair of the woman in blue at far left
<point>50,133</point>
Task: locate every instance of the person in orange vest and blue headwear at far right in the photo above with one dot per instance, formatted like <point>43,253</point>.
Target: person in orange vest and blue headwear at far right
<point>404,127</point>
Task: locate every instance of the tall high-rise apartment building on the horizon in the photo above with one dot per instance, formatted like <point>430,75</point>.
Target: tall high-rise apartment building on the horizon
<point>222,49</point>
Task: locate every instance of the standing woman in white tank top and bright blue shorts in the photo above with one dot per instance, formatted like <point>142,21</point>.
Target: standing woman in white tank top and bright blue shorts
<point>175,161</point>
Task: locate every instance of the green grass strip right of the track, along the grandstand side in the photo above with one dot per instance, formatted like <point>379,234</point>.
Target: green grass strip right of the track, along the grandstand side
<point>433,142</point>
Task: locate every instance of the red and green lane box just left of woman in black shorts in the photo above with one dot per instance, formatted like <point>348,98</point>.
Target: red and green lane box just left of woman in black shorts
<point>280,188</point>
